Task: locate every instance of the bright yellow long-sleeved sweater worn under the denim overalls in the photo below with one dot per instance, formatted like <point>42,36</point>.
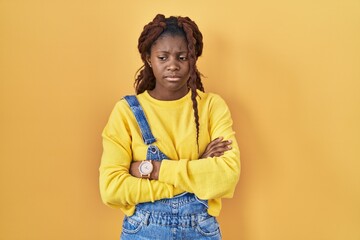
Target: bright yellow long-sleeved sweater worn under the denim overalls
<point>173,125</point>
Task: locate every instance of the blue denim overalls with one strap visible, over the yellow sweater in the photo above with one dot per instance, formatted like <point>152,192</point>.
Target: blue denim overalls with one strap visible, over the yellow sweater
<point>181,217</point>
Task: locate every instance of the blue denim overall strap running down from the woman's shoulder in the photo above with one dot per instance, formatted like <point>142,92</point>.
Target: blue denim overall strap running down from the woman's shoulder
<point>136,108</point>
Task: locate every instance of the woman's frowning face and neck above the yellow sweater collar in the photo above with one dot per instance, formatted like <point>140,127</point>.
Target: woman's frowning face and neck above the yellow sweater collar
<point>169,61</point>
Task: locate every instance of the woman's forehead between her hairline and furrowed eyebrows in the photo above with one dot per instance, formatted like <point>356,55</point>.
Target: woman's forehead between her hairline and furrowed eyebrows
<point>170,43</point>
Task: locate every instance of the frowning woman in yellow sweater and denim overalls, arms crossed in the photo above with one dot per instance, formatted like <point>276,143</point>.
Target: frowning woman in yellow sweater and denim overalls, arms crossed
<point>170,153</point>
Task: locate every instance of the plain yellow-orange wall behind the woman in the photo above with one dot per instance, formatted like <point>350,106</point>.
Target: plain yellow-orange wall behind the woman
<point>289,70</point>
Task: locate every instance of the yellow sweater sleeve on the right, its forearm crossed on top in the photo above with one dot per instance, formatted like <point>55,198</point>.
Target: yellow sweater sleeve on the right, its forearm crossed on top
<point>213,177</point>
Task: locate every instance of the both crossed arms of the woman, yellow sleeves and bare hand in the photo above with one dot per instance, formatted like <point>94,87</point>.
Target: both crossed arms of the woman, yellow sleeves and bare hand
<point>213,176</point>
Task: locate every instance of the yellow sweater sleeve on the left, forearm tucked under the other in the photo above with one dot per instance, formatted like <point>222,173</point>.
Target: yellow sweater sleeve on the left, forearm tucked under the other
<point>117,187</point>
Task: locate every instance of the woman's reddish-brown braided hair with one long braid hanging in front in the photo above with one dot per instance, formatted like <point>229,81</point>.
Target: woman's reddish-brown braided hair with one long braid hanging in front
<point>174,26</point>
